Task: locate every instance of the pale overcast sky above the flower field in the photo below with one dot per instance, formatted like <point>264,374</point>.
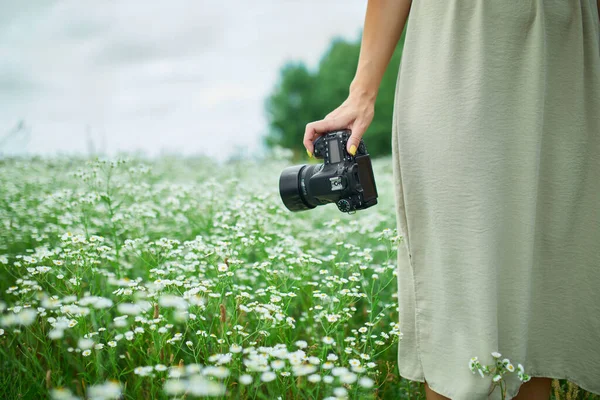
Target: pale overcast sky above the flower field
<point>153,76</point>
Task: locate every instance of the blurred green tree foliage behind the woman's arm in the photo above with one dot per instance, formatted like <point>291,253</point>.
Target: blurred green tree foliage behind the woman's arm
<point>301,96</point>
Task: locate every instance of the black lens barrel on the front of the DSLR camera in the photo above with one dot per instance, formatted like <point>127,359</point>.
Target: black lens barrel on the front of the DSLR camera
<point>293,187</point>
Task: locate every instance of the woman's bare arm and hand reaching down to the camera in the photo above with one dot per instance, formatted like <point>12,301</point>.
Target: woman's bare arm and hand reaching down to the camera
<point>384,23</point>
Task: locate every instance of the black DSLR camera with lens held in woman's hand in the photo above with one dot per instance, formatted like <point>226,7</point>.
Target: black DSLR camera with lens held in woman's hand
<point>343,179</point>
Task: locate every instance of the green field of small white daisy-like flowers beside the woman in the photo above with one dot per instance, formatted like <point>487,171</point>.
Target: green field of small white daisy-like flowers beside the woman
<point>179,278</point>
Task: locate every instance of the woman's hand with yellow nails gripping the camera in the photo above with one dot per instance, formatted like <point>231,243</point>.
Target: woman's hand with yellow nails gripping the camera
<point>355,113</point>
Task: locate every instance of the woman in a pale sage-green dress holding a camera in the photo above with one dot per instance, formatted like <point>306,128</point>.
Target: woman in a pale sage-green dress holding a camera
<point>496,152</point>
